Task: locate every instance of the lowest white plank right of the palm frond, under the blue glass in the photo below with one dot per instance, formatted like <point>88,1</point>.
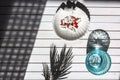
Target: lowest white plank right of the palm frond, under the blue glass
<point>88,76</point>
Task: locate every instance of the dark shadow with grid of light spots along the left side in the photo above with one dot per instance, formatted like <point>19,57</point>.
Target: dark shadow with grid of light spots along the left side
<point>19,23</point>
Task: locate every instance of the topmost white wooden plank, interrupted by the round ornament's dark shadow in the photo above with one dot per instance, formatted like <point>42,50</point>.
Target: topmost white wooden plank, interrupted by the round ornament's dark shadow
<point>88,3</point>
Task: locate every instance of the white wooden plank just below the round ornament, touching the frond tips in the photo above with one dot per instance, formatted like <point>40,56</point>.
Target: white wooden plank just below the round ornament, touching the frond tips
<point>75,43</point>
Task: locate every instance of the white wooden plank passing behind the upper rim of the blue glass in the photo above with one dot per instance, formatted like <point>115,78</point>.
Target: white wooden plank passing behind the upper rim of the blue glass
<point>76,51</point>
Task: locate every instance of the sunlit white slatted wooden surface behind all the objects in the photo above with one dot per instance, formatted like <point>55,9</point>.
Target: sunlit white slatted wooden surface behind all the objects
<point>104,15</point>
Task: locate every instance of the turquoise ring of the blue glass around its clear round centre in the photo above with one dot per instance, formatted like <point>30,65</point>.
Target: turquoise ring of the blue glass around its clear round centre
<point>103,67</point>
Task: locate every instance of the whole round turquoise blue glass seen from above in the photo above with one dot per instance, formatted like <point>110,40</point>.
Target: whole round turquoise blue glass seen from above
<point>98,62</point>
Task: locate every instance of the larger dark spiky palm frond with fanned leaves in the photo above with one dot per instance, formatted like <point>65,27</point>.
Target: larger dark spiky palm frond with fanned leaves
<point>60,63</point>
